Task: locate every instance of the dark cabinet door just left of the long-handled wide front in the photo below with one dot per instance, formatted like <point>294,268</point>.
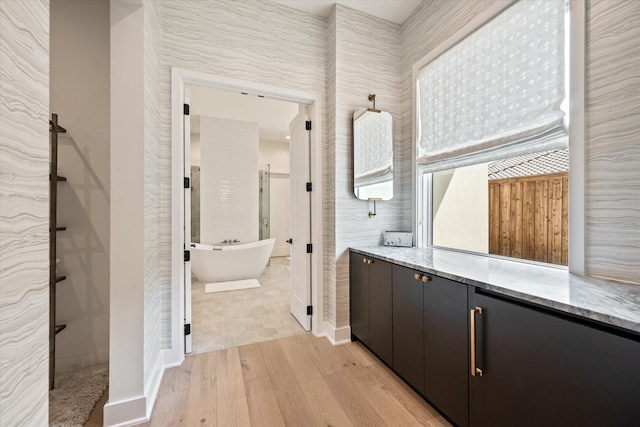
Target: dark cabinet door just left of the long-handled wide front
<point>446,347</point>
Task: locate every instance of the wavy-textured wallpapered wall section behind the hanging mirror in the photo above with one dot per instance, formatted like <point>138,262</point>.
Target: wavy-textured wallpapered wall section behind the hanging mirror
<point>367,61</point>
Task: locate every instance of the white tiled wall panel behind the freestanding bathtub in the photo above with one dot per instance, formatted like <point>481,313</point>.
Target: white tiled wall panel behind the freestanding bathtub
<point>228,180</point>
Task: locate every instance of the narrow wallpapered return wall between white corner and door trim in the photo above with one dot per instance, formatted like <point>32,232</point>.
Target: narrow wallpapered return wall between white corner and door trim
<point>156,278</point>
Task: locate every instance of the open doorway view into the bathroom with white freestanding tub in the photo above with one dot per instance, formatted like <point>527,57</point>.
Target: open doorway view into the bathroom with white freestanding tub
<point>240,196</point>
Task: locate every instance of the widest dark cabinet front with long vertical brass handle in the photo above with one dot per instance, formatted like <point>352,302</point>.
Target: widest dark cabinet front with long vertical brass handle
<point>542,368</point>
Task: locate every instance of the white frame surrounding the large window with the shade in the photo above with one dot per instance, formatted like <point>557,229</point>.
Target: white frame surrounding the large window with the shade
<point>422,202</point>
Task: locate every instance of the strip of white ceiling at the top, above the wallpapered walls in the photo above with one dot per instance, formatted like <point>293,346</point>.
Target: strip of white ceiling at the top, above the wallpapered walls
<point>392,10</point>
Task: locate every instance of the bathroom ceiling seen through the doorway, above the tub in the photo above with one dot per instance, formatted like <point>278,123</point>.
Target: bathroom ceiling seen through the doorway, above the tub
<point>272,116</point>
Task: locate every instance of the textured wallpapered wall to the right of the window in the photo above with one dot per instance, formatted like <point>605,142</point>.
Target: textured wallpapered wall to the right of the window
<point>612,191</point>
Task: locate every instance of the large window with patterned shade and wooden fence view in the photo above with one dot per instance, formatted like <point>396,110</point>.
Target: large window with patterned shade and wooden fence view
<point>492,137</point>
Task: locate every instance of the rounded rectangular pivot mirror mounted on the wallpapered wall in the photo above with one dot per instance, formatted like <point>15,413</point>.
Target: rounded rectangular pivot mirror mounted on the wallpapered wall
<point>372,154</point>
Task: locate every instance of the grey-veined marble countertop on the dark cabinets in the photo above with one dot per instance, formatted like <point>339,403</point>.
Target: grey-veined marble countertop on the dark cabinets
<point>608,302</point>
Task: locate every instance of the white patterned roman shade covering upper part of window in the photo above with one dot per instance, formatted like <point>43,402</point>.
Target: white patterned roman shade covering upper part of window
<point>497,93</point>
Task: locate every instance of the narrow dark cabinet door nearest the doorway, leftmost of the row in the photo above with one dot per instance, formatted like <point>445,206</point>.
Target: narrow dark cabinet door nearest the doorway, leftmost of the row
<point>359,297</point>
